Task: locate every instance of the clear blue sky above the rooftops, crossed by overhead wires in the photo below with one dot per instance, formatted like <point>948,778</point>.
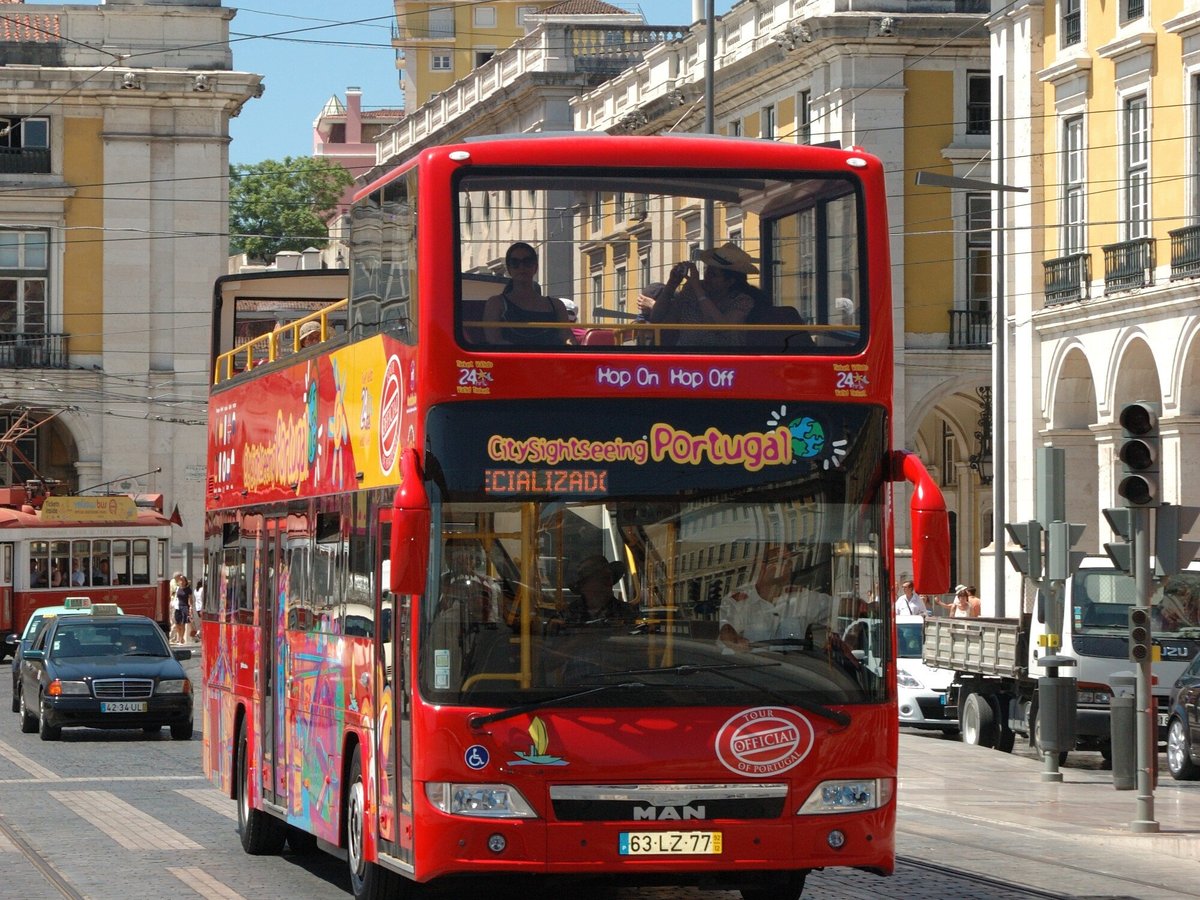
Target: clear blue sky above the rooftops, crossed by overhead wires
<point>309,51</point>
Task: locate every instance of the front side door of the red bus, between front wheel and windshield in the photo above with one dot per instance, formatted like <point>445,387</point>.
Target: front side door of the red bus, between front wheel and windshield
<point>394,703</point>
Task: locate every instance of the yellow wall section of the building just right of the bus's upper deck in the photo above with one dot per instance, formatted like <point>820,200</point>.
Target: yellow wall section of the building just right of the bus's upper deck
<point>929,249</point>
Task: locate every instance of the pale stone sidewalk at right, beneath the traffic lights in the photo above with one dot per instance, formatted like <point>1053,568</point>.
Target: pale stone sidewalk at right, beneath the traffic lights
<point>986,812</point>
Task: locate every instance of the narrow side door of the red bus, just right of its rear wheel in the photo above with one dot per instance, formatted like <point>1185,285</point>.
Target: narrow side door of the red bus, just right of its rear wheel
<point>274,646</point>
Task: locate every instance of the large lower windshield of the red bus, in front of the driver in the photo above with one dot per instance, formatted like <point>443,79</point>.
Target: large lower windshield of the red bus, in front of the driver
<point>704,596</point>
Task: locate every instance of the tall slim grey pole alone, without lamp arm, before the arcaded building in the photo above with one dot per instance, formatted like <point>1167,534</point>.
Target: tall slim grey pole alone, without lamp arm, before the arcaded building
<point>1000,404</point>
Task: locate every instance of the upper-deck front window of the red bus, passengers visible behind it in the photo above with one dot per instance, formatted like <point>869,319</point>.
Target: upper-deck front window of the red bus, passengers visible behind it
<point>554,260</point>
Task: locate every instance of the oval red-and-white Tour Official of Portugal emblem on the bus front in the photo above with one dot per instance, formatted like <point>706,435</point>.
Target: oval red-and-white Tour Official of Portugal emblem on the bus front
<point>765,741</point>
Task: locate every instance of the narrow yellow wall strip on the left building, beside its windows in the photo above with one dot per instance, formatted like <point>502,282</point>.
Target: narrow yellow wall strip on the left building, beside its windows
<point>83,260</point>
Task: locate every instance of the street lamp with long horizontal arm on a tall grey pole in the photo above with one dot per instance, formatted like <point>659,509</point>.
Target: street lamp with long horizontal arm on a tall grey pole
<point>999,345</point>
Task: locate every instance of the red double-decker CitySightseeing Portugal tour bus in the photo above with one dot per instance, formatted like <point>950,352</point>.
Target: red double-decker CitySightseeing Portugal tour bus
<point>500,593</point>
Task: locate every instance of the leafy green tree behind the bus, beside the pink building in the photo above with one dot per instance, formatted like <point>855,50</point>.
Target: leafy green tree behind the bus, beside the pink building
<point>283,205</point>
